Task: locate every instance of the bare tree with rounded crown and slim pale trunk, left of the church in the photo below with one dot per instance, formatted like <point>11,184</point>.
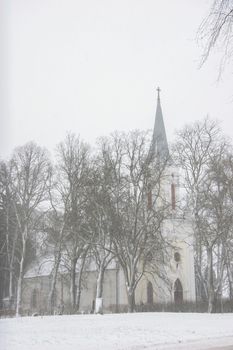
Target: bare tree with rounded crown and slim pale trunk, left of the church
<point>29,175</point>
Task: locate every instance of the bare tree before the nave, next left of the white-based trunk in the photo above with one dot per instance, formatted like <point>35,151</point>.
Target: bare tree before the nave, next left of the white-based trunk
<point>72,167</point>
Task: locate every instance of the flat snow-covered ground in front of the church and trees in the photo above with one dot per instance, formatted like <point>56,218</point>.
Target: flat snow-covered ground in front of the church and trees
<point>117,332</point>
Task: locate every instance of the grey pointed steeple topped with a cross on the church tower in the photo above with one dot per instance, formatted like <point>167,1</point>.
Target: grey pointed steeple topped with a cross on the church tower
<point>159,145</point>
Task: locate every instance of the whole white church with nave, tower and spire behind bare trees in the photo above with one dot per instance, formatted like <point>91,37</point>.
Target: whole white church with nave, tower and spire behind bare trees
<point>179,285</point>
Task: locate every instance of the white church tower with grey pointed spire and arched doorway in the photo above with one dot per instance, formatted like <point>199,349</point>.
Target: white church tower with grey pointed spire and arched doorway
<point>177,229</point>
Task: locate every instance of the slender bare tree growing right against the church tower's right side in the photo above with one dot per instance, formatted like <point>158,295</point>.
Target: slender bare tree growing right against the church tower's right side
<point>192,152</point>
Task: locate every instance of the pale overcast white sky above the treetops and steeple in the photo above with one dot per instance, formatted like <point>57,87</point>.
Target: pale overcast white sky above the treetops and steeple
<point>92,67</point>
